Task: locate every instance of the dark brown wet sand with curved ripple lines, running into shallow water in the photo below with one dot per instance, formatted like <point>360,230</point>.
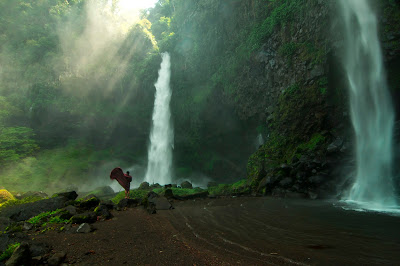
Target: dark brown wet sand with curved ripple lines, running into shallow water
<point>246,231</point>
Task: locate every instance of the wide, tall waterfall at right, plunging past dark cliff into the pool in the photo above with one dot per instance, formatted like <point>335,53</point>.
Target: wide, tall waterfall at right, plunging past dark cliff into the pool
<point>371,107</point>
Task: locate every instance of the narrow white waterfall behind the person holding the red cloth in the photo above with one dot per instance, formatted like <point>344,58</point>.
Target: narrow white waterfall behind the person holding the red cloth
<point>161,136</point>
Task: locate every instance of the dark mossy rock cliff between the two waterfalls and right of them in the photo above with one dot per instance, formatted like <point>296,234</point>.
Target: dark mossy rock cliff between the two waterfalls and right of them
<point>248,68</point>
